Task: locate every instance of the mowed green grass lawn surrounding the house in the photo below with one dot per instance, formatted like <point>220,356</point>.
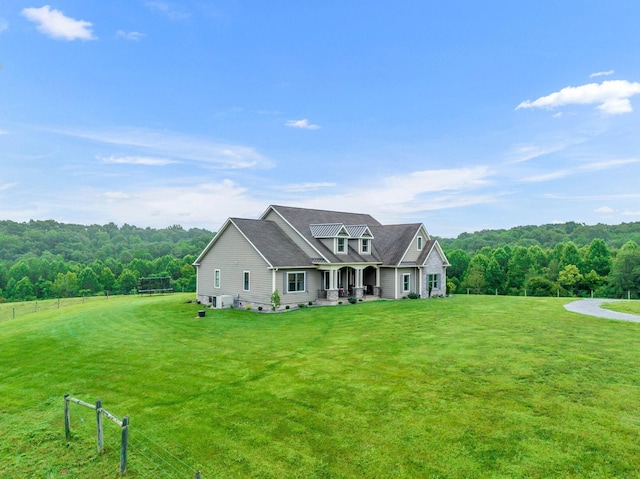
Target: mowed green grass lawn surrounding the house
<point>463,387</point>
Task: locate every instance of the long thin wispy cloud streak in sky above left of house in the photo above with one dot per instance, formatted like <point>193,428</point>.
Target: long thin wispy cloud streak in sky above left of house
<point>182,148</point>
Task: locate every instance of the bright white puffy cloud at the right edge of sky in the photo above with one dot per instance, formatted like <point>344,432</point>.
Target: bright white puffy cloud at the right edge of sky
<point>612,97</point>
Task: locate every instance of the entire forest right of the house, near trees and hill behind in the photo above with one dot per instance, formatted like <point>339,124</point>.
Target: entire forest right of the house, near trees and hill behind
<point>569,259</point>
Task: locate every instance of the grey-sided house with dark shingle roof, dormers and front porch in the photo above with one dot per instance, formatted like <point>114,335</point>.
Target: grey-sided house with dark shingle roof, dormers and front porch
<point>317,255</point>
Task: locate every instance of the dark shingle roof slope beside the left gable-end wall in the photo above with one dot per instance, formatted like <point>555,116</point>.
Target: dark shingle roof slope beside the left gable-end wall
<point>270,240</point>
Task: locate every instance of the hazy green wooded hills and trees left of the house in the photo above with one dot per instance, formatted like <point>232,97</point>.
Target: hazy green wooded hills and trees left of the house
<point>47,259</point>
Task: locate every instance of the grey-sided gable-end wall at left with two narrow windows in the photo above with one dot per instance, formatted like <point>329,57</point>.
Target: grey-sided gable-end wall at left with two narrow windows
<point>232,255</point>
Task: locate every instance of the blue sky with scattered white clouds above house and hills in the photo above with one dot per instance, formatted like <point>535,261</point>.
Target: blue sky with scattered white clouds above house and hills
<point>463,115</point>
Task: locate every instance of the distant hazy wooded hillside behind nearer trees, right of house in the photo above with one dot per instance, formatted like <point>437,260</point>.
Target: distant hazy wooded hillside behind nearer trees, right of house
<point>545,236</point>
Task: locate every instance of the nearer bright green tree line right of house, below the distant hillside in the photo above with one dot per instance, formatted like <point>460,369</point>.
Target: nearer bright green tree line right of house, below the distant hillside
<point>564,270</point>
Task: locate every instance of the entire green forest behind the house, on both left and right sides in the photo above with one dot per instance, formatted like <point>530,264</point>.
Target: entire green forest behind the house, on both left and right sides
<point>47,259</point>
